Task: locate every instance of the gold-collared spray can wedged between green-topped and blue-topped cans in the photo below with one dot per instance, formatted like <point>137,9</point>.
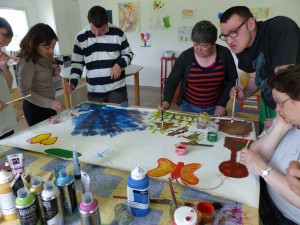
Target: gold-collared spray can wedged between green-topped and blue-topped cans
<point>36,188</point>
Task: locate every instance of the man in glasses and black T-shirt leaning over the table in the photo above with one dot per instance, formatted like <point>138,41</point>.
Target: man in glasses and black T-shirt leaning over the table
<point>262,48</point>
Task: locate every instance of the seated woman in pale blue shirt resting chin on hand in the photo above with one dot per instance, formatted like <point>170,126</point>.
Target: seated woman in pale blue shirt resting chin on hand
<point>271,154</point>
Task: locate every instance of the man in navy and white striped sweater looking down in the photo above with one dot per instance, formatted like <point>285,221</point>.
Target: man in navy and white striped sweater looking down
<point>105,52</point>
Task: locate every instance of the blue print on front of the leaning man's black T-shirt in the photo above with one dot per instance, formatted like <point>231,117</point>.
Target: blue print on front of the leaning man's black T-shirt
<point>261,76</point>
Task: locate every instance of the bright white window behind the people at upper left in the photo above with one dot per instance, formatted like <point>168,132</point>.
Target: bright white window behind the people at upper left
<point>18,21</point>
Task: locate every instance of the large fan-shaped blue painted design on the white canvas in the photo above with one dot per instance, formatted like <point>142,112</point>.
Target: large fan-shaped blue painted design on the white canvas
<point>107,120</point>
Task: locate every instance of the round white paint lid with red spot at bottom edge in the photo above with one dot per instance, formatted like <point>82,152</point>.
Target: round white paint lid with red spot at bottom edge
<point>185,215</point>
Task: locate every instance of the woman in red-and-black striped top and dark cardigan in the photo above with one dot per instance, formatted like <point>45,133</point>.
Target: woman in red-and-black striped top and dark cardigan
<point>206,72</point>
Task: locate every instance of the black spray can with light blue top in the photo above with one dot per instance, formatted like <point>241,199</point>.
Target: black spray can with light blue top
<point>65,183</point>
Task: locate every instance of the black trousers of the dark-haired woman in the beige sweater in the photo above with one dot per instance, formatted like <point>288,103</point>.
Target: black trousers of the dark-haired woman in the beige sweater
<point>35,114</point>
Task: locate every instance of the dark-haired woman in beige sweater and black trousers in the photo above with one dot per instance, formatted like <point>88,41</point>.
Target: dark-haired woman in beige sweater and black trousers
<point>36,69</point>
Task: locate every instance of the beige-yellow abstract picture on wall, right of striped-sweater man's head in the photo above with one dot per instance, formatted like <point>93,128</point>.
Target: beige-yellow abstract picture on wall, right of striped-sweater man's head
<point>128,16</point>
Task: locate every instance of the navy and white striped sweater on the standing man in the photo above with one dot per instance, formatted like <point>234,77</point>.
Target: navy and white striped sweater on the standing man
<point>99,54</point>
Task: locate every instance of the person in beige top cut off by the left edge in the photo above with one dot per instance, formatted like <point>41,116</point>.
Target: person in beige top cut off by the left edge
<point>8,118</point>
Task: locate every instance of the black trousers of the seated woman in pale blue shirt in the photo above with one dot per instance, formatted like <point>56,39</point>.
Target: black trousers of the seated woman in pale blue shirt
<point>268,212</point>
